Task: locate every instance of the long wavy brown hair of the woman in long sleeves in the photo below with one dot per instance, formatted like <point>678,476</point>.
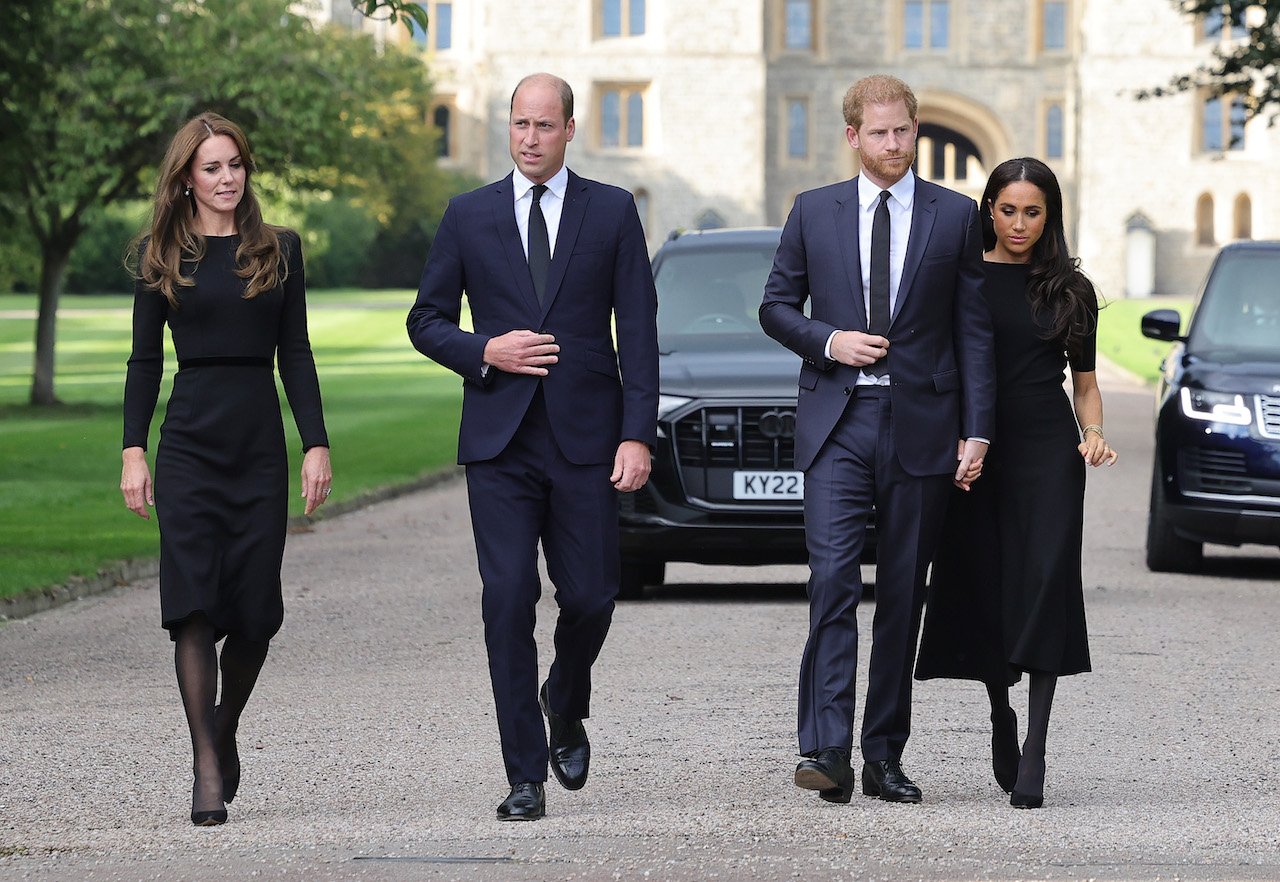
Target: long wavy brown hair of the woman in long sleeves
<point>175,239</point>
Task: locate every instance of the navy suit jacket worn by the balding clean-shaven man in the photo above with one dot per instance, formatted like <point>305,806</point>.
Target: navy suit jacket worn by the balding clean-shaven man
<point>596,396</point>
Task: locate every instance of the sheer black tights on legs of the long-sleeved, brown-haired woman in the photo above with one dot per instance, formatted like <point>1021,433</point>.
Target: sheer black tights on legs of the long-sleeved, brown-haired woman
<point>213,726</point>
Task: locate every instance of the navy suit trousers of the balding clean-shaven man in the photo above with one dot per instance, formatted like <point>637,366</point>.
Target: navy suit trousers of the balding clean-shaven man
<point>529,493</point>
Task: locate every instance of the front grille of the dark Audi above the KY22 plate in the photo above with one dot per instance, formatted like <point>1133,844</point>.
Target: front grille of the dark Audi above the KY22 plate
<point>737,438</point>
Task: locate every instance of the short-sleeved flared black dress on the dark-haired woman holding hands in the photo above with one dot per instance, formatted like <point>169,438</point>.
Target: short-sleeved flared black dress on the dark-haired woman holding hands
<point>1005,595</point>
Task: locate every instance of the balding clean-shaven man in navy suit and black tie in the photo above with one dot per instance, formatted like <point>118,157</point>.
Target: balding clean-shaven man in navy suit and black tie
<point>554,419</point>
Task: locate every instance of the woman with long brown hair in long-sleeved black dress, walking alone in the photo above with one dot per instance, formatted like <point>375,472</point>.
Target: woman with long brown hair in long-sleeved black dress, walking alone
<point>232,291</point>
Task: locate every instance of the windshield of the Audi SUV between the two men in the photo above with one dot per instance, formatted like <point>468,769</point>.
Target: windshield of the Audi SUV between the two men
<point>710,299</point>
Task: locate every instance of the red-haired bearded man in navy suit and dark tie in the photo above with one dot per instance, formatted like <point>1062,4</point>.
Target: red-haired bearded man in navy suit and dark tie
<point>897,403</point>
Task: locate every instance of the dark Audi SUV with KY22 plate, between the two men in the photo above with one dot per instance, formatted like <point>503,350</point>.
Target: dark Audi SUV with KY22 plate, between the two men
<point>724,487</point>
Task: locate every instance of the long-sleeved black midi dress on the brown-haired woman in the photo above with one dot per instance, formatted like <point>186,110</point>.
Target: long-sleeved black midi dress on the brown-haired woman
<point>222,469</point>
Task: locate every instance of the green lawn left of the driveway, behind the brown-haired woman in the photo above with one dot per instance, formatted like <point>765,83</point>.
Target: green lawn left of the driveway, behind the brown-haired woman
<point>392,417</point>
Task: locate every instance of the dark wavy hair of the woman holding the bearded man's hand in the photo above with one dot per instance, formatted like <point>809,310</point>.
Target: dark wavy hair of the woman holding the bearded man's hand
<point>1063,298</point>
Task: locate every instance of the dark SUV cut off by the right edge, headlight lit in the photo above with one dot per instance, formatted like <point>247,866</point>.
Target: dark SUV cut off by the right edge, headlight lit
<point>1217,476</point>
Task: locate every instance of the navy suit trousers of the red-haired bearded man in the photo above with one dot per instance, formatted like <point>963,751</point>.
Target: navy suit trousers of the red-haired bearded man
<point>856,470</point>
